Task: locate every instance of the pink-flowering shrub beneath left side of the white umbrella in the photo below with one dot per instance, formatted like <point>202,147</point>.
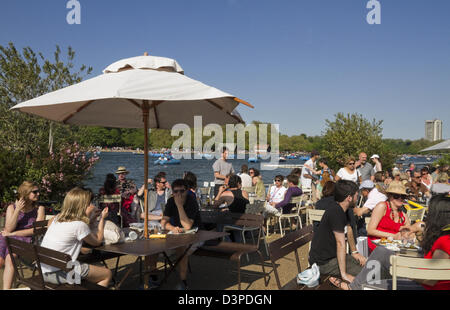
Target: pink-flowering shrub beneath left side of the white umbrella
<point>65,170</point>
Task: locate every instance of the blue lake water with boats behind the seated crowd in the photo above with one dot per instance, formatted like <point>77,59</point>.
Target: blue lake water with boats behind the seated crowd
<point>109,162</point>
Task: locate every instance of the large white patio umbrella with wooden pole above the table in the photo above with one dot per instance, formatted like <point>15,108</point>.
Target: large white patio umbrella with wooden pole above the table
<point>140,92</point>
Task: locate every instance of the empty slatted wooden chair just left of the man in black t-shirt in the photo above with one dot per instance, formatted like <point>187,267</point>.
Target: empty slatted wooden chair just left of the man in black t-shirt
<point>291,243</point>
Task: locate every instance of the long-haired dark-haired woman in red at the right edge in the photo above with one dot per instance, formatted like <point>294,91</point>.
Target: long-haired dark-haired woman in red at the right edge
<point>436,245</point>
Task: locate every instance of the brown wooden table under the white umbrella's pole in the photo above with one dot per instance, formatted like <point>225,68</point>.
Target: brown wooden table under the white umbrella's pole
<point>148,247</point>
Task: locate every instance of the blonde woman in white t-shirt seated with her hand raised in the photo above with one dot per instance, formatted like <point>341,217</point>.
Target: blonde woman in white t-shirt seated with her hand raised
<point>66,233</point>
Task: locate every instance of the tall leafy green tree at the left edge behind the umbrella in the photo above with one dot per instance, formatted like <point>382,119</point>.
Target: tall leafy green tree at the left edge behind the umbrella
<point>24,138</point>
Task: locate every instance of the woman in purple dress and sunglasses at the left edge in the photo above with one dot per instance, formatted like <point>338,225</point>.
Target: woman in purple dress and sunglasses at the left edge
<point>20,217</point>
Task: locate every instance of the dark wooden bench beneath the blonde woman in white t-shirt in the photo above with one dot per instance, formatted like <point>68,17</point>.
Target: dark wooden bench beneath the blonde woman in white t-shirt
<point>37,255</point>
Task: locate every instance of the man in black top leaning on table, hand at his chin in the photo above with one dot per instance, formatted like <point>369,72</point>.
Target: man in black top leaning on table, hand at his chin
<point>181,214</point>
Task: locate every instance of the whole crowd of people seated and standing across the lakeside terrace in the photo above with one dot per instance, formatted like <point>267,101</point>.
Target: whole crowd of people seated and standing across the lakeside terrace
<point>357,191</point>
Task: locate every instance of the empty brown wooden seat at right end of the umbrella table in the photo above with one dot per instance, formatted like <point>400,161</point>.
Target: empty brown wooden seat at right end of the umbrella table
<point>231,250</point>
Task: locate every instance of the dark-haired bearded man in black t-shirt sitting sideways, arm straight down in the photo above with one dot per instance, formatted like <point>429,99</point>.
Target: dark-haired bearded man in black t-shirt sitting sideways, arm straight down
<point>328,248</point>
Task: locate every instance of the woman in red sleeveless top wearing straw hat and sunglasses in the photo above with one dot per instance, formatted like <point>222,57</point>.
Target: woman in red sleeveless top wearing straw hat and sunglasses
<point>387,217</point>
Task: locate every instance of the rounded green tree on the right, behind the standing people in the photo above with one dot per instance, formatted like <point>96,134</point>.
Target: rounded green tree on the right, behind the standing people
<point>350,134</point>
